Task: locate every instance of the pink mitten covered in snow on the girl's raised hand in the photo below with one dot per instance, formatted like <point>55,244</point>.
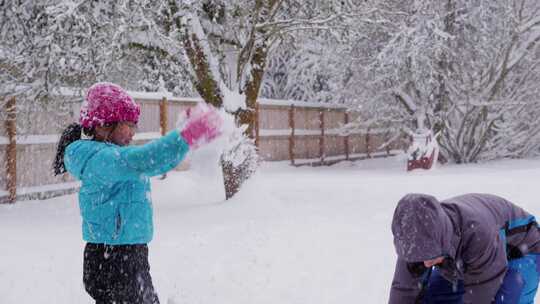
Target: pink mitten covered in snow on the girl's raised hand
<point>202,126</point>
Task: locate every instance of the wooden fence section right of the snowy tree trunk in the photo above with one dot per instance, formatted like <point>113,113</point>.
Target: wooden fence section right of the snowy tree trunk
<point>310,134</point>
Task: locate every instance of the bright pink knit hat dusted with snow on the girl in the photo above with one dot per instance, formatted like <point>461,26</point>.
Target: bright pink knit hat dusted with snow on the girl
<point>108,103</point>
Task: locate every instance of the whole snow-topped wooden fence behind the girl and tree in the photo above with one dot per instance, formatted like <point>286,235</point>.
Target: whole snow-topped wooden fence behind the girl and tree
<point>299,132</point>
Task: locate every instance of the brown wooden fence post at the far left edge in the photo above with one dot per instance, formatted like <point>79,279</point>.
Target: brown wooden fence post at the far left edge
<point>11,150</point>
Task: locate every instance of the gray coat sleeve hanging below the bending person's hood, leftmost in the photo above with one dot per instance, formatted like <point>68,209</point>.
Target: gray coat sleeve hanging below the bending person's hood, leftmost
<point>405,287</point>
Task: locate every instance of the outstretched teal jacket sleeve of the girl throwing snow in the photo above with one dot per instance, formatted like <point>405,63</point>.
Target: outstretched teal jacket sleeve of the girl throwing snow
<point>154,158</point>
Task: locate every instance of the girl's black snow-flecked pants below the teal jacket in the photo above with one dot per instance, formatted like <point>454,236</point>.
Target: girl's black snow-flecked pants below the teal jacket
<point>118,274</point>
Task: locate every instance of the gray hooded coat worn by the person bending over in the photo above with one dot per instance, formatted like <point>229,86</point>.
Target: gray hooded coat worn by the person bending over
<point>477,233</point>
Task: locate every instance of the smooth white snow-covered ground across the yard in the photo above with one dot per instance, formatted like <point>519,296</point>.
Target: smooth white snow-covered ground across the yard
<point>293,235</point>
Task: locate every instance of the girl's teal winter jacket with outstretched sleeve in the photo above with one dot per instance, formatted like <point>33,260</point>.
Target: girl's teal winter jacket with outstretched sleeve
<point>114,198</point>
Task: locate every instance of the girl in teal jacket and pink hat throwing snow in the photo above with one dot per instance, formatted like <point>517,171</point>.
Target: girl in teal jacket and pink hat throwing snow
<point>114,199</point>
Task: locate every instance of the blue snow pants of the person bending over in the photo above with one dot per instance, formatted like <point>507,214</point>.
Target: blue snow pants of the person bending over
<point>519,285</point>
